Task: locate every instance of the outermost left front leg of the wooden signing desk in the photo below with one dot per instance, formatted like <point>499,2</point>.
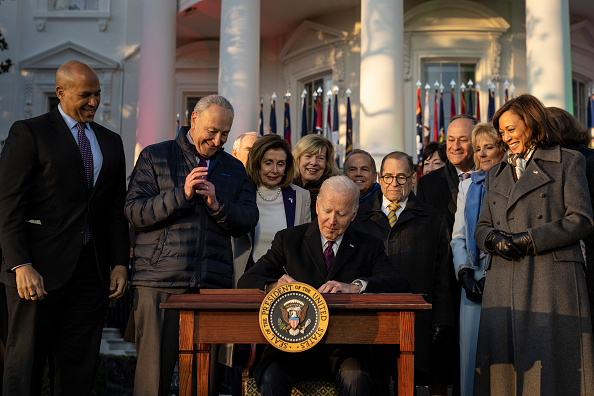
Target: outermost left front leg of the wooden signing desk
<point>186,352</point>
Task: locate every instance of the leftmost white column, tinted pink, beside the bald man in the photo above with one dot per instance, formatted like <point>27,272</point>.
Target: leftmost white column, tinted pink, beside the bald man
<point>156,77</point>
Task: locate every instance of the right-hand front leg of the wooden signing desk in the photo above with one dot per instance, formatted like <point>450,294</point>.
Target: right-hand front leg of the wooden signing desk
<point>406,360</point>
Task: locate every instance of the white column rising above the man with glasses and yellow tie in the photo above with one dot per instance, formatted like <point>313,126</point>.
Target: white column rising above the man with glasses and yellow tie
<point>381,126</point>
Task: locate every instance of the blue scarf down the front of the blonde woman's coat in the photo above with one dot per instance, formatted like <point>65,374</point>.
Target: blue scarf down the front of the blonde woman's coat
<point>472,211</point>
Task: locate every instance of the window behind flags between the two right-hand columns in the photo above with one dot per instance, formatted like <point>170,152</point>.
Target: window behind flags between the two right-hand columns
<point>444,72</point>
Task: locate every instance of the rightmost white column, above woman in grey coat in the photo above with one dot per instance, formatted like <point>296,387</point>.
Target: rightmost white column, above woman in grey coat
<point>549,52</point>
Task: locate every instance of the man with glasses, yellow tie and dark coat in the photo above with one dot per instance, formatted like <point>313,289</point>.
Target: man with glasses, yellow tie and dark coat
<point>416,238</point>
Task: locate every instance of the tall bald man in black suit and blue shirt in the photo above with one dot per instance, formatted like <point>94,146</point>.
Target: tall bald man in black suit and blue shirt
<point>62,226</point>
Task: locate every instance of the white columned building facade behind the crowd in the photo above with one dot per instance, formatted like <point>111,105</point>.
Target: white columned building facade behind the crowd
<point>156,58</point>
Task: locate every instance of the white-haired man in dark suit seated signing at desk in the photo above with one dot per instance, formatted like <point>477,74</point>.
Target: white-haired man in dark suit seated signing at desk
<point>334,258</point>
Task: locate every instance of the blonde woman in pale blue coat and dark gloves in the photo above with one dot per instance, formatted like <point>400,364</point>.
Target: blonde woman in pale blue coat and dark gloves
<point>469,261</point>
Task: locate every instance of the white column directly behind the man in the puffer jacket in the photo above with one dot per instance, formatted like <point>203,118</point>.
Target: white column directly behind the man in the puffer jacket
<point>239,63</point>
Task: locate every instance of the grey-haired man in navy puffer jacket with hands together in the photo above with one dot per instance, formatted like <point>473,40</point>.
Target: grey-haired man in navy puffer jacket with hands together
<point>186,199</point>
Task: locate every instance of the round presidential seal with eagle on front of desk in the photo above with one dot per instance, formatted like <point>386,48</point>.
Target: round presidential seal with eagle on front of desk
<point>294,317</point>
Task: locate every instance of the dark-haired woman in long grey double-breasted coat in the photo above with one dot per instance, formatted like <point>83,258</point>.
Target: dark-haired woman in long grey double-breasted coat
<point>535,334</point>
